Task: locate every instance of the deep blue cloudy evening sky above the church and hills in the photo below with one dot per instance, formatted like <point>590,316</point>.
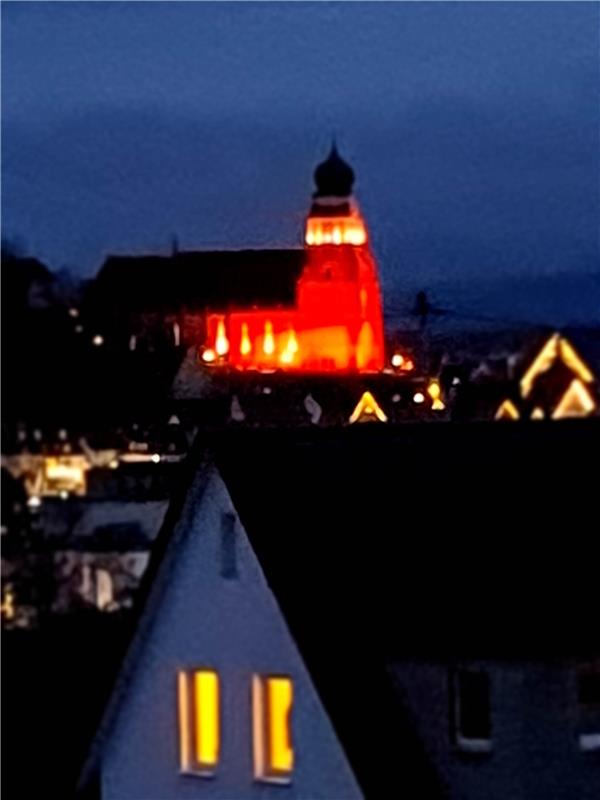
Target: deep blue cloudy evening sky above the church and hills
<point>473,129</point>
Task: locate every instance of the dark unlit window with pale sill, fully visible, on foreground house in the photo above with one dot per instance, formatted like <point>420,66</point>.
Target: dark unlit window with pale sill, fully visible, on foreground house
<point>470,710</point>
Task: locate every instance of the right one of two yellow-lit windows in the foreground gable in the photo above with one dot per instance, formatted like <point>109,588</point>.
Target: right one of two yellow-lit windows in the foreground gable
<point>272,700</point>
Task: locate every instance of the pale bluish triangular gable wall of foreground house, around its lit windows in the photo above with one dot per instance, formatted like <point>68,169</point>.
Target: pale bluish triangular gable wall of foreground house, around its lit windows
<point>212,608</point>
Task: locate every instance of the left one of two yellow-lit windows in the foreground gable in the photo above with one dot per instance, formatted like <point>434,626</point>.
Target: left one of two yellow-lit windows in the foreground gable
<point>199,721</point>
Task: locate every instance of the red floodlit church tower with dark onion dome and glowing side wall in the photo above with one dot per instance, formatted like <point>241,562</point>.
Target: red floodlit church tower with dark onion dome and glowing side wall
<point>336,323</point>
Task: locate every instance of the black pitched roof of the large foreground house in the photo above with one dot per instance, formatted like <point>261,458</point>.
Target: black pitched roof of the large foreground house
<point>441,542</point>
